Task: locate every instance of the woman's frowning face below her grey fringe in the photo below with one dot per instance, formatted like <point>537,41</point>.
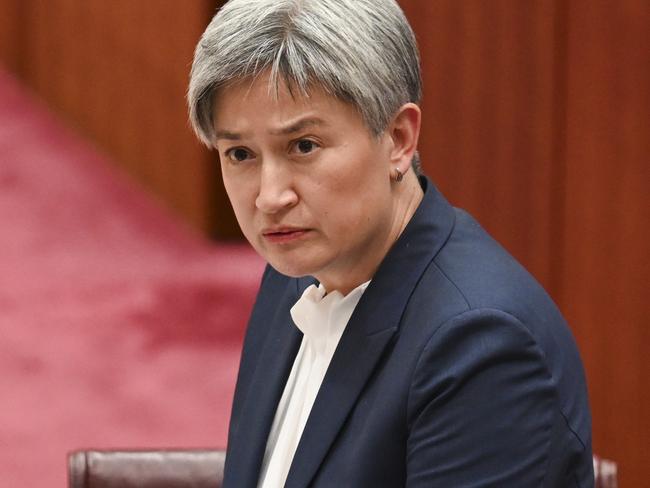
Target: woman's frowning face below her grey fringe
<point>310,185</point>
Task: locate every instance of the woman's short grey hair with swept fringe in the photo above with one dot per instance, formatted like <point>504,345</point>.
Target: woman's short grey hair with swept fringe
<point>362,52</point>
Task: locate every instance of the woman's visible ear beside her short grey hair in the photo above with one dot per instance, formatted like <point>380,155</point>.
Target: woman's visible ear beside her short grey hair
<point>404,132</point>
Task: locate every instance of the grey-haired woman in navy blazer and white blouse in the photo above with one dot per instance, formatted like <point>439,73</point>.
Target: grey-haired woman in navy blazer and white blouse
<point>393,342</point>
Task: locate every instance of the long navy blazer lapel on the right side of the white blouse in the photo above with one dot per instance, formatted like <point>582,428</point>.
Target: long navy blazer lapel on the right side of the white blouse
<point>369,332</point>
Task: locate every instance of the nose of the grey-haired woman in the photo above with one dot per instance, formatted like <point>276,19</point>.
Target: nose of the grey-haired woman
<point>276,190</point>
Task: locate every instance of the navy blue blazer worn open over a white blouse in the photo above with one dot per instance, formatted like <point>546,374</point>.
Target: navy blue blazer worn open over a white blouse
<point>455,370</point>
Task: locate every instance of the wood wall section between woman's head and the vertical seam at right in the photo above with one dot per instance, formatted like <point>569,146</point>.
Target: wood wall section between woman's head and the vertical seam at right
<point>490,110</point>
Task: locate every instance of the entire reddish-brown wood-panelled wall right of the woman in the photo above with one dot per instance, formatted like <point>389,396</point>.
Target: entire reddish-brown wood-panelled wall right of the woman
<point>536,120</point>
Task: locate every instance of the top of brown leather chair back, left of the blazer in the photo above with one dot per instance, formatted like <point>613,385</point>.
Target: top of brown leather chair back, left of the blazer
<point>146,469</point>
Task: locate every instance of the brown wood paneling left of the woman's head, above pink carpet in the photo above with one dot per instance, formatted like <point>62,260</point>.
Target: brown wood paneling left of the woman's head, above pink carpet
<point>118,71</point>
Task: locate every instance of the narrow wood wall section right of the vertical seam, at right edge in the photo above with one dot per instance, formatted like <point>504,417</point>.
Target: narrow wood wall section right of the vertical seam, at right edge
<point>606,237</point>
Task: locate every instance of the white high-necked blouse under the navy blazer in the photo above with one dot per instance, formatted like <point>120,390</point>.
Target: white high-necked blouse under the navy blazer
<point>322,319</point>
